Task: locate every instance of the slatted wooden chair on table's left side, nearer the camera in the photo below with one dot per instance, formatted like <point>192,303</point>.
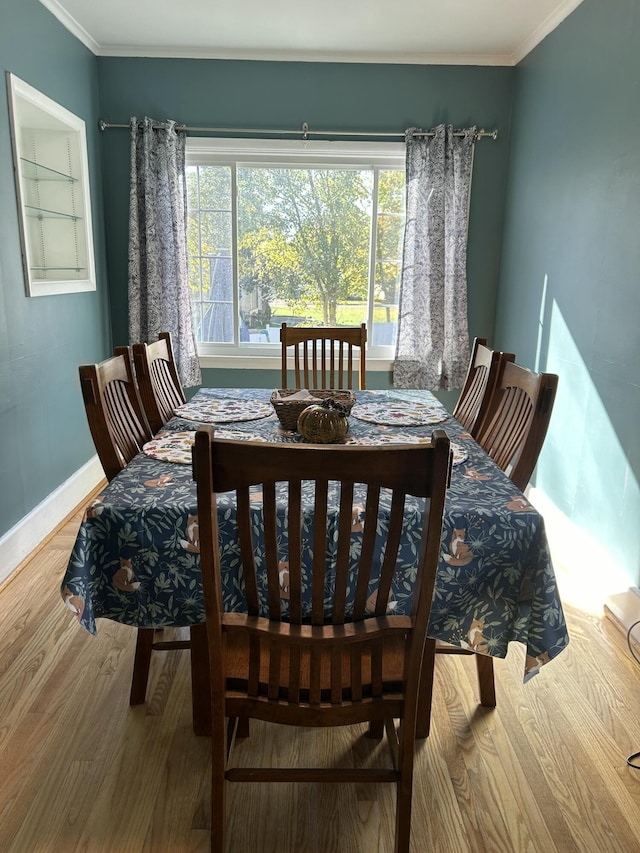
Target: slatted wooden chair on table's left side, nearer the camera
<point>119,429</point>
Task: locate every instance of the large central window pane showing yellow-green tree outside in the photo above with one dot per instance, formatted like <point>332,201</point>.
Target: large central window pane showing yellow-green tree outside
<point>303,247</point>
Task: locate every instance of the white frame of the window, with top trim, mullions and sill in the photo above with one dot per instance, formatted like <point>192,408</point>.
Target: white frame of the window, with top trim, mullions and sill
<point>207,151</point>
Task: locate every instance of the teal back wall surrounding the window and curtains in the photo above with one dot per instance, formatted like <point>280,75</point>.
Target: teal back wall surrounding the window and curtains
<point>345,96</point>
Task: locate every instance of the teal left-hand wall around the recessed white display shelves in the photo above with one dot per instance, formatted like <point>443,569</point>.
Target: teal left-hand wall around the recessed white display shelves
<point>44,438</point>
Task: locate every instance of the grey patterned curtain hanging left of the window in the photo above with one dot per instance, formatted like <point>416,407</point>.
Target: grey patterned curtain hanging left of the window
<point>158,280</point>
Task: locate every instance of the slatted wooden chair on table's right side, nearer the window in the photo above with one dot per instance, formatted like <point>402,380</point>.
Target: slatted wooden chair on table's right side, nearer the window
<point>479,385</point>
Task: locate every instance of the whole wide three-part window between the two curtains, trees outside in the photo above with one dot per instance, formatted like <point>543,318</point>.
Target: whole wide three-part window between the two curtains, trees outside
<point>308,233</point>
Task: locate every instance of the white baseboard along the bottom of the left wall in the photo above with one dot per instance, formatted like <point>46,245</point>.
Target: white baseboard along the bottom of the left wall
<point>28,533</point>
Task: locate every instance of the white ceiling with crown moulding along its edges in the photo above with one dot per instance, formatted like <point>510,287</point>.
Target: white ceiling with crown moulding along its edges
<point>459,32</point>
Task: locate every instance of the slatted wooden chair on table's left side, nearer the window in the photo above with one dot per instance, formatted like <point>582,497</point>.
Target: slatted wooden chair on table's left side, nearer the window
<point>158,380</point>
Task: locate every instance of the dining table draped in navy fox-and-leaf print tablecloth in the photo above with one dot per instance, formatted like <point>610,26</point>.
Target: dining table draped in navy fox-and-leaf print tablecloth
<point>136,556</point>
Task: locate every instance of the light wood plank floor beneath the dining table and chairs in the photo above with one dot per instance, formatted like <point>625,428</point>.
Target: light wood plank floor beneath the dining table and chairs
<point>81,771</point>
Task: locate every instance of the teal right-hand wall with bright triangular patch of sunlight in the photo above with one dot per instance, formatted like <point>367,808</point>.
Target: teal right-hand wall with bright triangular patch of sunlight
<point>569,294</point>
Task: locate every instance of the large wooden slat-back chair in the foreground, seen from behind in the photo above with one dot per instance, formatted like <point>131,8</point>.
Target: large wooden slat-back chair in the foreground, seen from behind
<point>318,661</point>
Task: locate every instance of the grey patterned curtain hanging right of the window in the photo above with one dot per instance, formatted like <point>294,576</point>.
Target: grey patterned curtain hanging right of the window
<point>432,349</point>
